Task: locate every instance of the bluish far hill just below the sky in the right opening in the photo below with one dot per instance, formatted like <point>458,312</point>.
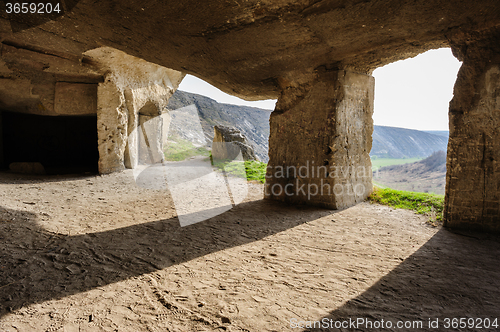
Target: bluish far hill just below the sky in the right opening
<point>392,142</point>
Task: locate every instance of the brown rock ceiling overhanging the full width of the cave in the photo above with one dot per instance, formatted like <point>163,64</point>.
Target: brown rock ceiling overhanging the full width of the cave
<point>254,49</point>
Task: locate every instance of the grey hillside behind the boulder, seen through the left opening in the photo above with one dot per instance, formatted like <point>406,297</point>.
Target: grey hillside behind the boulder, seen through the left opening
<point>251,121</point>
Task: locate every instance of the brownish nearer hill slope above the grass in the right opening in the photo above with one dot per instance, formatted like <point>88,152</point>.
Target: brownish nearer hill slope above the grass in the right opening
<point>428,175</point>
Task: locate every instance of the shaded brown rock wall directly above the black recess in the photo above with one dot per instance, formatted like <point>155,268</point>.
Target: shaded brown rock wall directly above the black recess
<point>39,81</point>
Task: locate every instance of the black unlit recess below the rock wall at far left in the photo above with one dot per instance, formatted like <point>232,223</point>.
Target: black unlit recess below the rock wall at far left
<point>62,144</point>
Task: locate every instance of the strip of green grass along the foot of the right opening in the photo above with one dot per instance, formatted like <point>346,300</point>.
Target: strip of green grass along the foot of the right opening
<point>422,203</point>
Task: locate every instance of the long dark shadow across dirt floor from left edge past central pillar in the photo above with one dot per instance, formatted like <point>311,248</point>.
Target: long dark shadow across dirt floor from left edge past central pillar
<point>38,265</point>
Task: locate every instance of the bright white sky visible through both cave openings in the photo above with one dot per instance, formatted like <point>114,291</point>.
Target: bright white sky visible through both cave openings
<point>412,93</point>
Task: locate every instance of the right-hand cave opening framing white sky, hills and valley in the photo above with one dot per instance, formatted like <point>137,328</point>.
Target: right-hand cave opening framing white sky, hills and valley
<point>410,135</point>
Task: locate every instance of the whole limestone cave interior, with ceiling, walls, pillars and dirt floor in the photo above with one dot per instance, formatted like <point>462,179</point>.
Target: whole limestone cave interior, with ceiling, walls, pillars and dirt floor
<point>100,252</point>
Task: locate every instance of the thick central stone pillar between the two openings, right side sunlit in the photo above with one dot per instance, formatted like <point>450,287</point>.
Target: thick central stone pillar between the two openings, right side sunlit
<point>320,140</point>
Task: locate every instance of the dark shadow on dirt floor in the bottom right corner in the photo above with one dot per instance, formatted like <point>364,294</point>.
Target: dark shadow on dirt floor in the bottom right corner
<point>453,275</point>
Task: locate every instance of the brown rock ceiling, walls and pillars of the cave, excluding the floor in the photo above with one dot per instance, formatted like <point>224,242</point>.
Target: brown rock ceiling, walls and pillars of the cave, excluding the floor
<point>315,56</point>
